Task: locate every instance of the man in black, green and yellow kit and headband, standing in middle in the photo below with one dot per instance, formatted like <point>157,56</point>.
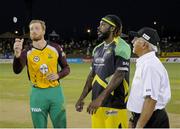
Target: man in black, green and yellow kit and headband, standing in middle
<point>109,77</point>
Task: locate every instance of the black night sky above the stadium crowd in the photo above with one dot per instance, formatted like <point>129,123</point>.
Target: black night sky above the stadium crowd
<point>73,17</point>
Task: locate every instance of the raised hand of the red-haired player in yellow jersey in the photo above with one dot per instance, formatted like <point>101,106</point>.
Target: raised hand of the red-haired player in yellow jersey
<point>18,45</point>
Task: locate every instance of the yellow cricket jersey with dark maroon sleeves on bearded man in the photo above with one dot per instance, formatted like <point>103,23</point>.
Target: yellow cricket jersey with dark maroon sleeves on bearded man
<point>41,62</point>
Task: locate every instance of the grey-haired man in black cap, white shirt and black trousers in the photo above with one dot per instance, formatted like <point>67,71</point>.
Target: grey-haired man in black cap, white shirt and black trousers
<point>150,91</point>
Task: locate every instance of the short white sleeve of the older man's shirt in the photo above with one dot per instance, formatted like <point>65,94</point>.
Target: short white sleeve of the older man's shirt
<point>151,82</point>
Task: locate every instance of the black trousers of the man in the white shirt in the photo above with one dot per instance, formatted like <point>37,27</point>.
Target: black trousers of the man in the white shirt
<point>159,119</point>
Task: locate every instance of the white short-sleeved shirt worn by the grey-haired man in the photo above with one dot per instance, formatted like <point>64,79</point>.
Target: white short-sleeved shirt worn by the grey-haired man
<point>150,79</point>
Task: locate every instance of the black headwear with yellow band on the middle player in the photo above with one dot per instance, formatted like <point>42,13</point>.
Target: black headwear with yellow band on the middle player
<point>112,20</point>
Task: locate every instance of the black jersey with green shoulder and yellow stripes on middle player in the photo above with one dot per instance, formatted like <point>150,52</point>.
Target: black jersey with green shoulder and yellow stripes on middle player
<point>107,58</point>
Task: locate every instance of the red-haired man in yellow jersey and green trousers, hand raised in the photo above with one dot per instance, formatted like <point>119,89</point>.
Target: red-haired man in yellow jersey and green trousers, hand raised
<point>42,60</point>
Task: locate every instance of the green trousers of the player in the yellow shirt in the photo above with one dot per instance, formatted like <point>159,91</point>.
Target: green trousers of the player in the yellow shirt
<point>48,101</point>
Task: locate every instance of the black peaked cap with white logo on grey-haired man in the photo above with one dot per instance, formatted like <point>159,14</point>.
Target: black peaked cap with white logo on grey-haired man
<point>147,33</point>
